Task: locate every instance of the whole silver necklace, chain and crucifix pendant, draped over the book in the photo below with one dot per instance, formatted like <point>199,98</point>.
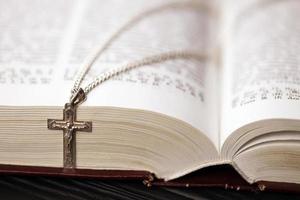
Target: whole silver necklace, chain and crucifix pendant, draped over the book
<point>69,124</point>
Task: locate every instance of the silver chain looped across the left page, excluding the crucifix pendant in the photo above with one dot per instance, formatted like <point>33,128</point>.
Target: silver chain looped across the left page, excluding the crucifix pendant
<point>153,59</point>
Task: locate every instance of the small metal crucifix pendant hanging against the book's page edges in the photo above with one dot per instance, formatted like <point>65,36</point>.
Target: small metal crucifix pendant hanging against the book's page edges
<point>69,125</point>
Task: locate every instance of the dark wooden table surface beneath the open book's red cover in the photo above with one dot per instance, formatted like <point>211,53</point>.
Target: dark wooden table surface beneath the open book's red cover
<point>27,187</point>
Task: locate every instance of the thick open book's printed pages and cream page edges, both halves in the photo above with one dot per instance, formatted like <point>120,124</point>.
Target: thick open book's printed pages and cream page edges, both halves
<point>240,106</point>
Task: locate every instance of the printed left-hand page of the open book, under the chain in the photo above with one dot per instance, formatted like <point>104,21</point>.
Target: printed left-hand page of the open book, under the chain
<point>45,43</point>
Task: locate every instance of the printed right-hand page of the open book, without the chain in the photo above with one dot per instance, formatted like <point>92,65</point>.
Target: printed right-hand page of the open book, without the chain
<point>261,62</point>
